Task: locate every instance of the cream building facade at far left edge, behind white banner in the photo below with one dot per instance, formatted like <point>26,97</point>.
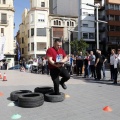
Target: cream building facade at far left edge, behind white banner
<point>7,28</point>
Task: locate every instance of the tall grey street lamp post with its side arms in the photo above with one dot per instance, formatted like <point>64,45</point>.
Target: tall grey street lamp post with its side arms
<point>97,22</point>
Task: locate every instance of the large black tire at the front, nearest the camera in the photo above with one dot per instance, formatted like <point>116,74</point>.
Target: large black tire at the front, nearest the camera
<point>30,100</point>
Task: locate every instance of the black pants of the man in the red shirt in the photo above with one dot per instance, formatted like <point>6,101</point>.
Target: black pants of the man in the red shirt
<point>55,73</point>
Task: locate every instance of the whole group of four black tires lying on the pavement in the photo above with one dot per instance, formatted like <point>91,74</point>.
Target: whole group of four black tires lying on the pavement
<point>29,99</point>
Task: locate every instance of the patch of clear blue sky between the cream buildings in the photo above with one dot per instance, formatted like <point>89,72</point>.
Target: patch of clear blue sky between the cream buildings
<point>19,6</point>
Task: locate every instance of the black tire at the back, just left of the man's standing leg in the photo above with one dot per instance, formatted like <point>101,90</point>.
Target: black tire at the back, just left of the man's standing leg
<point>44,90</point>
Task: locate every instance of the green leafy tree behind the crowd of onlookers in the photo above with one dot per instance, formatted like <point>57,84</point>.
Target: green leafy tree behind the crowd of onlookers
<point>79,45</point>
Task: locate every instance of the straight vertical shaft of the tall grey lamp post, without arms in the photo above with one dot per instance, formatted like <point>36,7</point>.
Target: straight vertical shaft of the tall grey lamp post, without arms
<point>97,28</point>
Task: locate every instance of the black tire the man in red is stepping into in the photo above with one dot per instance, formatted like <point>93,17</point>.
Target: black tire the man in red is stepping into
<point>51,97</point>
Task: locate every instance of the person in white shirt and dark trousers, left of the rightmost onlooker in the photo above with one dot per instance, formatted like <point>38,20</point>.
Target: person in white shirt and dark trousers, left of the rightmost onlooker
<point>112,57</point>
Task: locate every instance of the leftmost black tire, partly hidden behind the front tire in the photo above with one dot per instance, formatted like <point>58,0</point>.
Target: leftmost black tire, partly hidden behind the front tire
<point>14,95</point>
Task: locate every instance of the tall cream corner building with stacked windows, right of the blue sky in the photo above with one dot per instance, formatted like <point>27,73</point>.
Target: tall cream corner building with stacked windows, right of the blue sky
<point>33,33</point>
